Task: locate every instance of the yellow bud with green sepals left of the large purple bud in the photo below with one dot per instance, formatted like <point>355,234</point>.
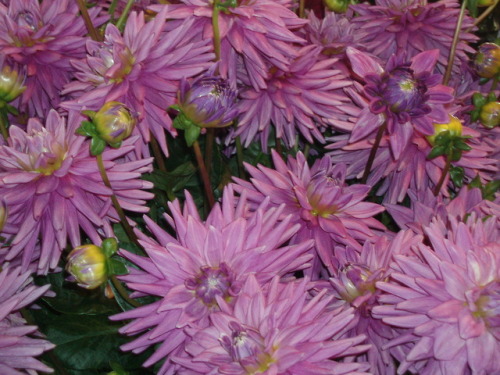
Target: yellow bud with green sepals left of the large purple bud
<point>114,122</point>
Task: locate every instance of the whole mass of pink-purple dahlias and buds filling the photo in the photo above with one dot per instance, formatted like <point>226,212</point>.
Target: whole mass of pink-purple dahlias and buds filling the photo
<point>292,271</point>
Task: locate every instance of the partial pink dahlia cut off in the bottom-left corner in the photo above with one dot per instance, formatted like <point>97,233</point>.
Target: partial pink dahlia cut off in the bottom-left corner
<point>18,348</point>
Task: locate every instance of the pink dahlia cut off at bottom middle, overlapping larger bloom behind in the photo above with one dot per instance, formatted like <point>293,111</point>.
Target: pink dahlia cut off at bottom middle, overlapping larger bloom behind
<point>274,330</point>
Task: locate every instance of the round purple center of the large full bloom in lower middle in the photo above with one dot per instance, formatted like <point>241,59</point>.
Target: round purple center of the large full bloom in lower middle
<point>211,282</point>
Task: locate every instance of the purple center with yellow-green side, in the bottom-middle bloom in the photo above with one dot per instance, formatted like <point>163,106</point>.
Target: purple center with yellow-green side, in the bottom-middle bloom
<point>246,346</point>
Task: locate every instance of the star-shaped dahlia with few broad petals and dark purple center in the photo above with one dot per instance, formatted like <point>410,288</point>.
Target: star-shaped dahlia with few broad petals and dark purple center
<point>407,96</point>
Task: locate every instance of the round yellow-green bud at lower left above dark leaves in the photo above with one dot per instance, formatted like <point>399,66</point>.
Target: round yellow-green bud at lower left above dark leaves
<point>87,265</point>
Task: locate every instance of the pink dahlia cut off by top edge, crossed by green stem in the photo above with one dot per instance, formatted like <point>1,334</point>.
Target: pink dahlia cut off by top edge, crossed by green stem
<point>255,35</point>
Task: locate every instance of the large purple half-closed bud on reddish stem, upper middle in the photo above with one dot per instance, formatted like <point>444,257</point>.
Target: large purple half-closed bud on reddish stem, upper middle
<point>208,103</point>
